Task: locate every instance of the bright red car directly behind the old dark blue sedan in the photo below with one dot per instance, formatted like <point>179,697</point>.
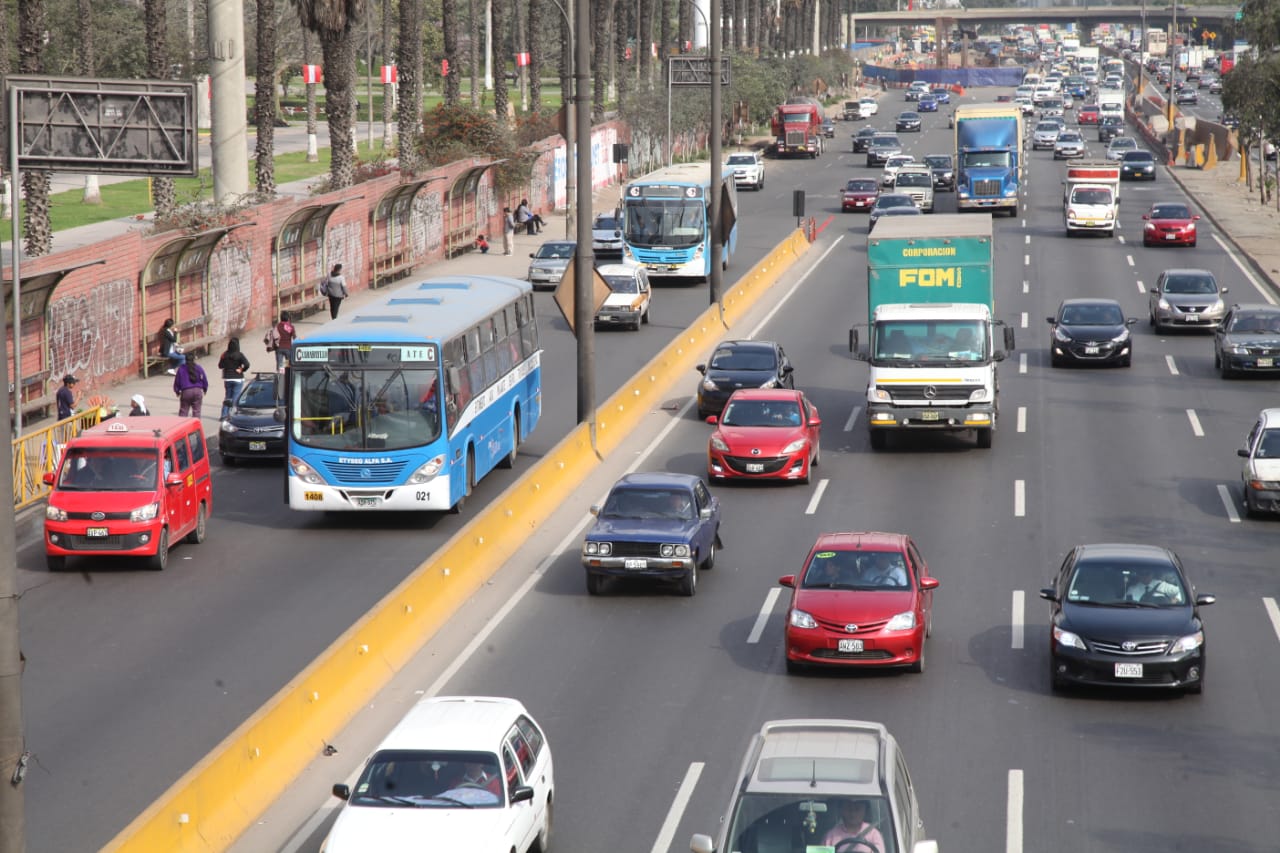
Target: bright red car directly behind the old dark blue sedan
<point>765,434</point>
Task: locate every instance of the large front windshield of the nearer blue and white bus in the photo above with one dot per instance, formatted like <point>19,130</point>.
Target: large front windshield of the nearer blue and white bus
<point>346,408</point>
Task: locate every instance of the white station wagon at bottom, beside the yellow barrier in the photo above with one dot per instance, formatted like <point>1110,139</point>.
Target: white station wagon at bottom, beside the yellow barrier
<point>456,774</point>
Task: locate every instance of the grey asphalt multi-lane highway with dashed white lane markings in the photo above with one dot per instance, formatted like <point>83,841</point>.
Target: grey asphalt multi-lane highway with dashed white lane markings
<point>648,700</point>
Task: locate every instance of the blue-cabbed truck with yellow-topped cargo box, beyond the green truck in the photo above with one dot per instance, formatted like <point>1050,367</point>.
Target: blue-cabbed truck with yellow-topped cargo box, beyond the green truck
<point>989,157</point>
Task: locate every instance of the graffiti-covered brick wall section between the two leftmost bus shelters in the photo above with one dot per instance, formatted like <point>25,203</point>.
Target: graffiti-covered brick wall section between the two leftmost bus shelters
<point>89,335</point>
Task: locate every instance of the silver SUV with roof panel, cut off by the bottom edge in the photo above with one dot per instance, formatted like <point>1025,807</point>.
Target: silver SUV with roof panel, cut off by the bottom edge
<point>822,786</point>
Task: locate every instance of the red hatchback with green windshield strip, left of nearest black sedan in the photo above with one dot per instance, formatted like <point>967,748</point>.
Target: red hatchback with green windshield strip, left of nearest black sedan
<point>862,600</point>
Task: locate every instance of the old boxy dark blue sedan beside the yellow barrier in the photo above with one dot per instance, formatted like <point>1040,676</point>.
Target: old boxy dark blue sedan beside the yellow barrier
<point>657,526</point>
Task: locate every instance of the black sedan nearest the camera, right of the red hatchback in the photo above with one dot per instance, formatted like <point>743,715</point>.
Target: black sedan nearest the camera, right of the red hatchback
<point>1126,615</point>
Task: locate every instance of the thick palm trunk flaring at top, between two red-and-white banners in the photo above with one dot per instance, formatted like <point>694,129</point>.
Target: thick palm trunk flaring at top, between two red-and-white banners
<point>335,22</point>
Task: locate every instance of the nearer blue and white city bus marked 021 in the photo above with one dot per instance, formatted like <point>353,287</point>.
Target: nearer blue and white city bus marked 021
<point>405,404</point>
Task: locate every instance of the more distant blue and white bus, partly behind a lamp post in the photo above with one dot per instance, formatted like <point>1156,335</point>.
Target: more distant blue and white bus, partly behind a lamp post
<point>665,221</point>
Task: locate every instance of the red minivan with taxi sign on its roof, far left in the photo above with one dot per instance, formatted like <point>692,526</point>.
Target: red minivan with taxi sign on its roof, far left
<point>130,487</point>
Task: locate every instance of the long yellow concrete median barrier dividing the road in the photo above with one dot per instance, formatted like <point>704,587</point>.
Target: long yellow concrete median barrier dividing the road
<point>227,791</point>
